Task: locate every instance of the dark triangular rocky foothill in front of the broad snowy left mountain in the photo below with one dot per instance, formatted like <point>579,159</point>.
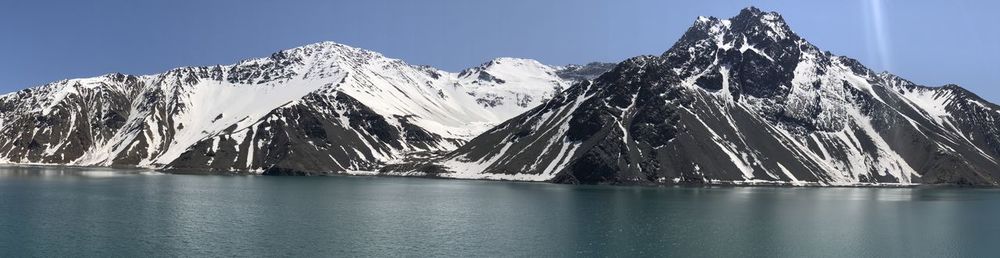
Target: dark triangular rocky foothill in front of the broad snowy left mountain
<point>322,134</point>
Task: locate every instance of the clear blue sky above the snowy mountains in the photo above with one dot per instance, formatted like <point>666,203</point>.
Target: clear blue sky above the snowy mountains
<point>929,42</point>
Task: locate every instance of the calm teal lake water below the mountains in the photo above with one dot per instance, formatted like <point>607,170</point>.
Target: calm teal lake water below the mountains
<point>101,212</point>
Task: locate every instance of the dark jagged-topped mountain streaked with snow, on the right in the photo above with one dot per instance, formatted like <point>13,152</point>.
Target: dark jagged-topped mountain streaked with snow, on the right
<point>742,101</point>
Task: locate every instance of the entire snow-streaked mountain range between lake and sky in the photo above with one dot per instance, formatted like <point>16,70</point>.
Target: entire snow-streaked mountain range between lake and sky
<point>735,101</point>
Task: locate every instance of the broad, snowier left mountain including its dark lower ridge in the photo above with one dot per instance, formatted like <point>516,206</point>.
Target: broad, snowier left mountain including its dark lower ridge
<point>319,108</point>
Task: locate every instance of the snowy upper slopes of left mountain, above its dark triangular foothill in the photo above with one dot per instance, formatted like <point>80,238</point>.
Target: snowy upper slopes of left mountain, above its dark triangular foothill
<point>162,115</point>
